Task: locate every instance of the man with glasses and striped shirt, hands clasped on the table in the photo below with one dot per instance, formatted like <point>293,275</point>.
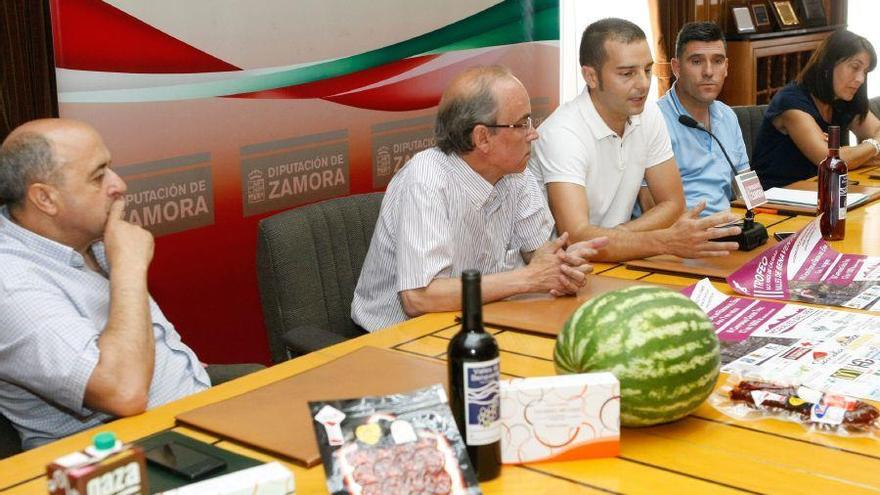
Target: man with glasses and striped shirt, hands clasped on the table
<point>467,203</point>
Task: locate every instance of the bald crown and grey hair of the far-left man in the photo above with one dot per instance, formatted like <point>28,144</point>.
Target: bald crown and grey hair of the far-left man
<point>36,152</point>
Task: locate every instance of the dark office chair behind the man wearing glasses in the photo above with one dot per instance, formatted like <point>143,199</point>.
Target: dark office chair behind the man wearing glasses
<point>308,263</point>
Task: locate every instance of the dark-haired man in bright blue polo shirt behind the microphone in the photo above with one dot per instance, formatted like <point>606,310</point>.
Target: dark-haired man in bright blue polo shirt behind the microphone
<point>700,67</point>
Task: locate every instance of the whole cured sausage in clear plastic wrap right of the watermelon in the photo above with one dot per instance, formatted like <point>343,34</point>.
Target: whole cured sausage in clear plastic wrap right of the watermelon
<point>754,397</point>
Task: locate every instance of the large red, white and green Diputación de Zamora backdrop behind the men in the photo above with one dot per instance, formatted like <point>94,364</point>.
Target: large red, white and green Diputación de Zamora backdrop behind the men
<point>219,114</point>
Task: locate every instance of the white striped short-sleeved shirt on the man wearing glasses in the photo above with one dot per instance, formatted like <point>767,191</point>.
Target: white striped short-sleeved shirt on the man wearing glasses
<point>439,218</point>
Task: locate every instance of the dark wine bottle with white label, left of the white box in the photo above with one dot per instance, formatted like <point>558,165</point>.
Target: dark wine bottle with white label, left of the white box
<point>474,371</point>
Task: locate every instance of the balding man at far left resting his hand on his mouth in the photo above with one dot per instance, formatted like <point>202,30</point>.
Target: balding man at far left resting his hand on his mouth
<point>81,340</point>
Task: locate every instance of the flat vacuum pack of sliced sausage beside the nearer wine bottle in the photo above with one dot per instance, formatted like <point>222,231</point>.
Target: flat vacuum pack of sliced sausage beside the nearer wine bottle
<point>404,443</point>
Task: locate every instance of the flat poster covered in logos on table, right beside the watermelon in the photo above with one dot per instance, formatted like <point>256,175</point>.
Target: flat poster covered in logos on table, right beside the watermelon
<point>825,349</point>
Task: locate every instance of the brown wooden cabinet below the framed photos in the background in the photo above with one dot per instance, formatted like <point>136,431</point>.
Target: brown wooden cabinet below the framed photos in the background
<point>759,67</point>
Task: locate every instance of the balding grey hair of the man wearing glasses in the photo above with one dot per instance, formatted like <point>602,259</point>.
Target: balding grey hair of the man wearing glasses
<point>468,102</point>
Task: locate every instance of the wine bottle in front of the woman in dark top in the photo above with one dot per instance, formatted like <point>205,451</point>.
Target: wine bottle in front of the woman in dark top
<point>832,190</point>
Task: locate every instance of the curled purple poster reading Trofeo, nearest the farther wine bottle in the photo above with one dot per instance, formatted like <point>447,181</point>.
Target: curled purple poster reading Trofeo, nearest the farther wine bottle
<point>805,268</point>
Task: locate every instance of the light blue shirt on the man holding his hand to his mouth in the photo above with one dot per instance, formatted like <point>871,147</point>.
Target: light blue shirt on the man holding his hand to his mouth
<point>52,310</point>
